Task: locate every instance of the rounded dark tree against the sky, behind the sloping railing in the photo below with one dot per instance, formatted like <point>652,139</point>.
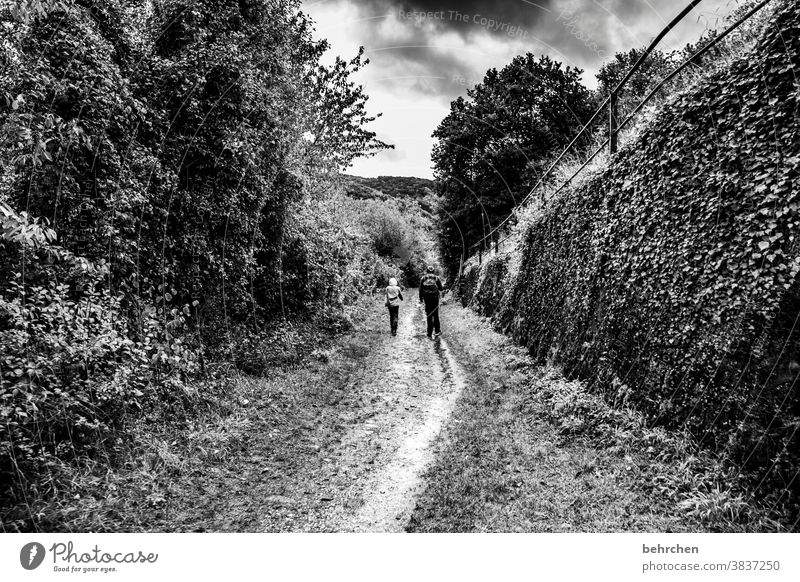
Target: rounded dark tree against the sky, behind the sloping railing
<point>493,146</point>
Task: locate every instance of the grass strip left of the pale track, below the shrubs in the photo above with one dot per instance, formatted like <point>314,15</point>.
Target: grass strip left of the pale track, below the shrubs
<point>192,465</point>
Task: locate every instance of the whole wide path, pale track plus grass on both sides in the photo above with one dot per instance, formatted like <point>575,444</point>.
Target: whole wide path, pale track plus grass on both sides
<point>390,434</point>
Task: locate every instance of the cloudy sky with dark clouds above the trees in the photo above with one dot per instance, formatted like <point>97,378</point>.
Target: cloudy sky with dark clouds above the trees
<point>425,53</point>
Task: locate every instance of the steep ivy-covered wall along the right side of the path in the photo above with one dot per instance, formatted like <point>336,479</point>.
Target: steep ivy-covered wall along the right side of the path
<point>671,278</point>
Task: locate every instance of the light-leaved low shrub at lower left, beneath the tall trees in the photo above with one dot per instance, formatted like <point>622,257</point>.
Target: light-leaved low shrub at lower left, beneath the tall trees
<point>73,372</point>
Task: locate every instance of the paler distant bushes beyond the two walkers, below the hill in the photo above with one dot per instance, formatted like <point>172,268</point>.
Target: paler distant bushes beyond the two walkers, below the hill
<point>333,248</point>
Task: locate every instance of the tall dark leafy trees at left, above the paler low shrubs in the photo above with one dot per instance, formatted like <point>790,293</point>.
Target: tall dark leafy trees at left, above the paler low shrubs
<point>170,139</point>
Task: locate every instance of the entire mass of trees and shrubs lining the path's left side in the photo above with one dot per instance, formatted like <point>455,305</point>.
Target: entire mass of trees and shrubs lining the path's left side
<point>158,169</point>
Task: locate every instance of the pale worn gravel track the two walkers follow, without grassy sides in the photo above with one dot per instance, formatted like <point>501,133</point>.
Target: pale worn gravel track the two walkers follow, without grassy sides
<point>371,477</point>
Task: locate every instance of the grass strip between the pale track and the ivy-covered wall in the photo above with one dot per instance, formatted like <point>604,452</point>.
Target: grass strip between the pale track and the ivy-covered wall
<point>528,450</point>
